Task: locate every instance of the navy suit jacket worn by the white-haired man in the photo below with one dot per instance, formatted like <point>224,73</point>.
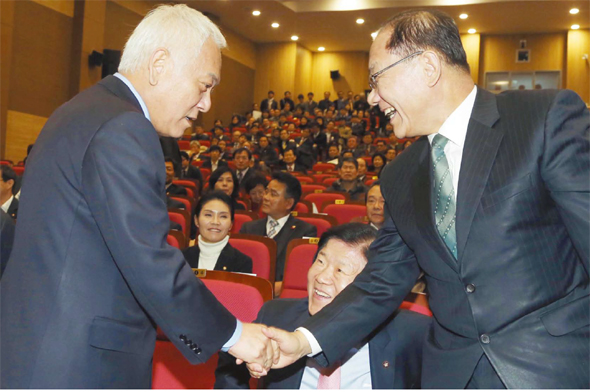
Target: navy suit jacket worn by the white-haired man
<point>91,273</point>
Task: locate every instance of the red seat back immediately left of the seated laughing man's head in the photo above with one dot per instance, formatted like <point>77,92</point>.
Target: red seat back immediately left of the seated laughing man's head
<point>300,258</point>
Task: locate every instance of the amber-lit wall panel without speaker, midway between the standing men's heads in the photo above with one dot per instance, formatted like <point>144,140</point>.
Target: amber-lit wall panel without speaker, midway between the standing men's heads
<point>275,70</point>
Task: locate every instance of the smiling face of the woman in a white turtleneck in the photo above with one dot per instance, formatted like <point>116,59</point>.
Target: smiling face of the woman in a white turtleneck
<point>214,221</point>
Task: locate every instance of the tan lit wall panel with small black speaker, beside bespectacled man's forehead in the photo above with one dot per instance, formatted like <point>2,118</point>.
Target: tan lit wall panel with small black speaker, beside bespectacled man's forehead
<point>354,73</point>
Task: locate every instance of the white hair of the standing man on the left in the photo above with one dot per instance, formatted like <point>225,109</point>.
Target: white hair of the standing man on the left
<point>174,27</point>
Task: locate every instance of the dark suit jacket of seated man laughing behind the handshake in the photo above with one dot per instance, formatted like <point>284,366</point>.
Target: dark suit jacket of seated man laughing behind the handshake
<point>397,342</point>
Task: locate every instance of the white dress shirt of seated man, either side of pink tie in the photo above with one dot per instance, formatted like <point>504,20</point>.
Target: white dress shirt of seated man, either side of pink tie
<point>355,372</point>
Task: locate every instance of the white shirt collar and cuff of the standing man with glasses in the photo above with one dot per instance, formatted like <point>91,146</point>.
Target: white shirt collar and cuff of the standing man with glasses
<point>455,129</point>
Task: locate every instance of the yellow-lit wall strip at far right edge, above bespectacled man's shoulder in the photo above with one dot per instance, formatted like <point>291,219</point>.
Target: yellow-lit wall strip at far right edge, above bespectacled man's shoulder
<point>578,69</point>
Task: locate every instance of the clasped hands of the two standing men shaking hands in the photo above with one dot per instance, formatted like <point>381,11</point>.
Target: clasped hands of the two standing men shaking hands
<point>263,348</point>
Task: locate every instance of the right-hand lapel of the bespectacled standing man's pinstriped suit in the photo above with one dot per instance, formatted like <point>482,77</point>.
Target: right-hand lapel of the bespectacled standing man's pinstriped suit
<point>479,152</point>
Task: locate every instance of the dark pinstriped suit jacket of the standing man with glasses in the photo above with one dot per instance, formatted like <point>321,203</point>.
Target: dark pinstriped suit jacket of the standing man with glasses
<point>521,277</point>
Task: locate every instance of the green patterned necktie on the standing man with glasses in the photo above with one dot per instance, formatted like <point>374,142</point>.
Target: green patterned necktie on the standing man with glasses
<point>444,194</point>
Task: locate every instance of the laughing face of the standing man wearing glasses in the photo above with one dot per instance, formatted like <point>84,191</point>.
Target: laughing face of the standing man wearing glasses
<point>401,91</point>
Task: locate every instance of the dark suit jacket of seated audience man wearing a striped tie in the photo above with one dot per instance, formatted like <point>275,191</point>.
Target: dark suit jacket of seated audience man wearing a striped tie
<point>293,228</point>
